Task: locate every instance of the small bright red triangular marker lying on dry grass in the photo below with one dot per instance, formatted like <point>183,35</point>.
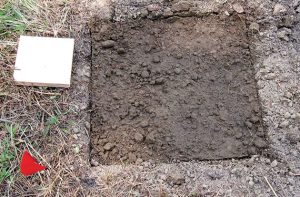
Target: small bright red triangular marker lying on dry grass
<point>29,165</point>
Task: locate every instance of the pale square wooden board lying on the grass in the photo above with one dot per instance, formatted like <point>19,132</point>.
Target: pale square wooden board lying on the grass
<point>44,61</point>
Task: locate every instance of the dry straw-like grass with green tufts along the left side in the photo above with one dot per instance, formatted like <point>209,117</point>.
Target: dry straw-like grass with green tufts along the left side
<point>40,118</point>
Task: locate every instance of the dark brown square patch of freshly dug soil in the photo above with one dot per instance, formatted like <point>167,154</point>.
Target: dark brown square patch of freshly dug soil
<point>176,89</point>
